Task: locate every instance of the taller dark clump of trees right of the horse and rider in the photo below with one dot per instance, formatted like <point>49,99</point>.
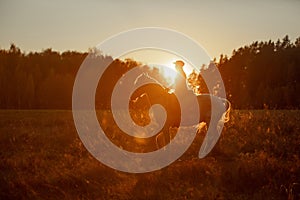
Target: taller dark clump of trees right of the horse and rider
<point>260,75</point>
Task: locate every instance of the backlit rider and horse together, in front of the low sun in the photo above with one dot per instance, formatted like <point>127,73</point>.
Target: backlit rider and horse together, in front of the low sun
<point>147,95</point>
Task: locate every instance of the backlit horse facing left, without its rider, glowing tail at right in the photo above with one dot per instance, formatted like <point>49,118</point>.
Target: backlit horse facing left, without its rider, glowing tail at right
<point>149,94</point>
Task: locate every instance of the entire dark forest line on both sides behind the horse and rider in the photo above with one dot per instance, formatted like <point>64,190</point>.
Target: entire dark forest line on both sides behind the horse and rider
<point>256,76</point>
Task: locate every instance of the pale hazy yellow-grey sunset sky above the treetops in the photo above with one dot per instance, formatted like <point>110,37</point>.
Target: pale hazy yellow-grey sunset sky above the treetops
<point>219,26</point>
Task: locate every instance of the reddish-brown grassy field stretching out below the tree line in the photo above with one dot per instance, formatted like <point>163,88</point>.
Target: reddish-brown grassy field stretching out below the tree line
<point>41,157</point>
